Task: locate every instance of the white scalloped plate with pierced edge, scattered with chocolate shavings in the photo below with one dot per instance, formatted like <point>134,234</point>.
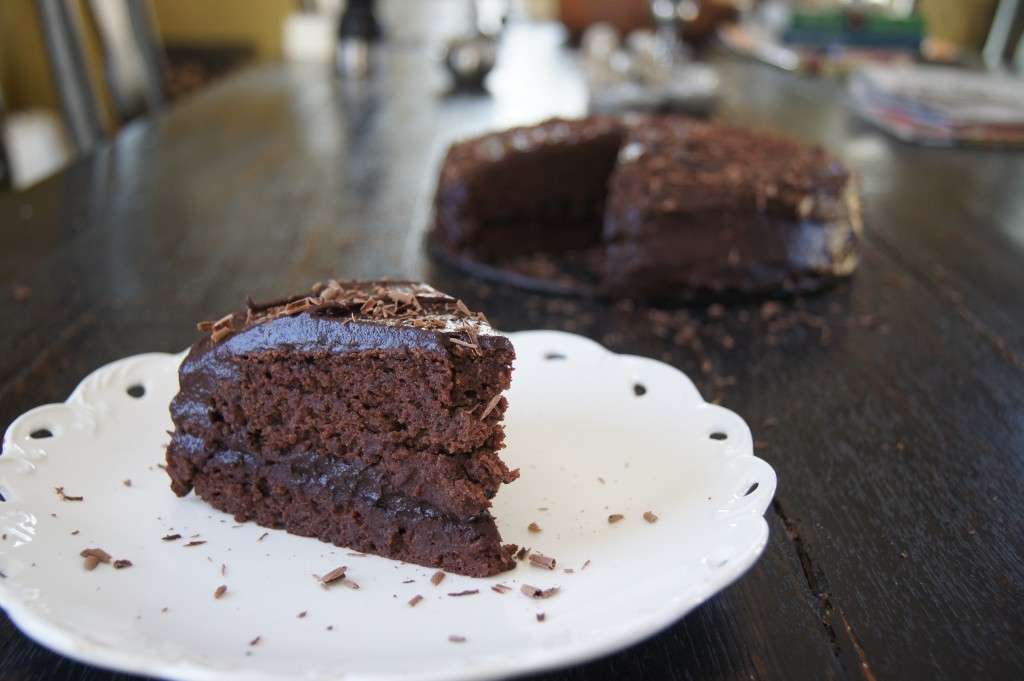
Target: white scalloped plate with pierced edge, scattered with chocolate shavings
<point>588,447</point>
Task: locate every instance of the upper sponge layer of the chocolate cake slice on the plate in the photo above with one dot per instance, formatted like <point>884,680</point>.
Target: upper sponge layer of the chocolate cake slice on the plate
<point>347,402</point>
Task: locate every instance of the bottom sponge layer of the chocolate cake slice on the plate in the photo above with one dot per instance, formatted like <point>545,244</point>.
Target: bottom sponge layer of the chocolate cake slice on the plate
<point>309,500</point>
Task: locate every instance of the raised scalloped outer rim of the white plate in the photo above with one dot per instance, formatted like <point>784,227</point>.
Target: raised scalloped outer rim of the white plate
<point>60,639</point>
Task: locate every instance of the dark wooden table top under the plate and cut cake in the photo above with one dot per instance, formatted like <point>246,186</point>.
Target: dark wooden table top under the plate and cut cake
<point>892,408</point>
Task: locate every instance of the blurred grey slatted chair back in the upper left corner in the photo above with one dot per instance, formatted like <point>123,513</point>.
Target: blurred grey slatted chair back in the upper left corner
<point>134,64</point>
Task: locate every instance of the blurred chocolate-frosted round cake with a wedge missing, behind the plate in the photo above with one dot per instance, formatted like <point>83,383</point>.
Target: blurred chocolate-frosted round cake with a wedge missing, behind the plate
<point>662,207</point>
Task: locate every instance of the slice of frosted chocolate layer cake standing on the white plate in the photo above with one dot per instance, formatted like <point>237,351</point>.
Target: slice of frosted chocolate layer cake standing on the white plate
<point>366,414</point>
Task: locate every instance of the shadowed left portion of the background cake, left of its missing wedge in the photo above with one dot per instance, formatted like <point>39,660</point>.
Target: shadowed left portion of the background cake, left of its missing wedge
<point>525,190</point>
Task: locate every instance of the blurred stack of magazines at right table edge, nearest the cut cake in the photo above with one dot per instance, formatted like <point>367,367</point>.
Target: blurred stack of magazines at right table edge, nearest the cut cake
<point>943,106</point>
